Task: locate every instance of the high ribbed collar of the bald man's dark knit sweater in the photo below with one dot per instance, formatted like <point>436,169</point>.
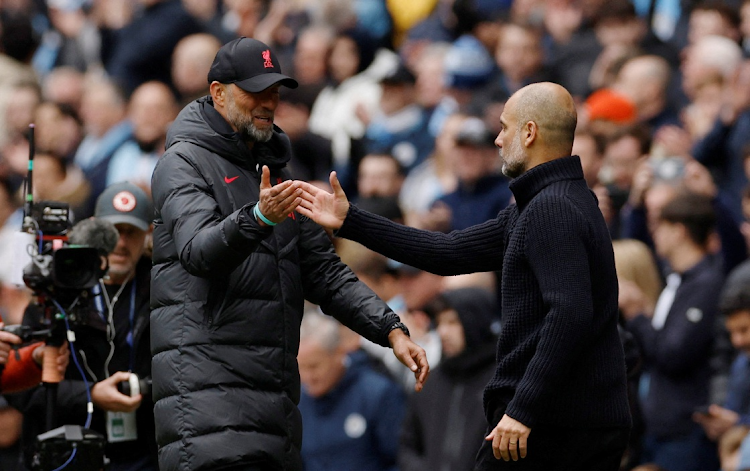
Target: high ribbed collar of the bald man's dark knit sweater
<point>531,182</point>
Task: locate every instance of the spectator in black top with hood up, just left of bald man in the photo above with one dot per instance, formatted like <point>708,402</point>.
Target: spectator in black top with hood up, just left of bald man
<point>467,321</point>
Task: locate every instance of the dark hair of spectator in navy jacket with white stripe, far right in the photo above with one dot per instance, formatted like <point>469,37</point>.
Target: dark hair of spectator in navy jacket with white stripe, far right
<point>695,212</point>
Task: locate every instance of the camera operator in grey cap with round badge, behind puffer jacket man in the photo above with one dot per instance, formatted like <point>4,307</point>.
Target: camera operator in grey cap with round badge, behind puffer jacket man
<point>113,343</point>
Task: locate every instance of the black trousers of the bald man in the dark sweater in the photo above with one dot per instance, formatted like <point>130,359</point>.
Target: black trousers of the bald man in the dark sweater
<point>595,449</point>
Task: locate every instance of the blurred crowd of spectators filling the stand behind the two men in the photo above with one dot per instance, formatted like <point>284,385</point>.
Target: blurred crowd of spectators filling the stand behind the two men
<point>402,98</point>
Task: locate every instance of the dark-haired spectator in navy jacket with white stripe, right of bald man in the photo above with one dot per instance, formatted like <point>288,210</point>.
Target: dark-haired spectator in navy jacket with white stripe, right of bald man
<point>678,340</point>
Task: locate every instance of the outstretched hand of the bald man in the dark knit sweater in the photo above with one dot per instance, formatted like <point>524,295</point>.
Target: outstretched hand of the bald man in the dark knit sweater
<point>327,209</point>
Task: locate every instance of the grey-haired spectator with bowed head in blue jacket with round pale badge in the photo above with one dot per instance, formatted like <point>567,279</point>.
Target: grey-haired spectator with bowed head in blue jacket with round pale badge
<point>351,413</point>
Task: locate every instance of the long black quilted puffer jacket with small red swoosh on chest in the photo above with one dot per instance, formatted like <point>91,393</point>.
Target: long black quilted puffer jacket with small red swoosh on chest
<point>227,300</point>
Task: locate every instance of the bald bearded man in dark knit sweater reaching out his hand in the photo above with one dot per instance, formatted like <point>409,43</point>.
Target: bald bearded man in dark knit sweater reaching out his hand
<point>558,397</point>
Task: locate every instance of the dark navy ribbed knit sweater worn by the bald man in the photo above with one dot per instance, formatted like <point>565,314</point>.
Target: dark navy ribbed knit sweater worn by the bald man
<point>560,362</point>
